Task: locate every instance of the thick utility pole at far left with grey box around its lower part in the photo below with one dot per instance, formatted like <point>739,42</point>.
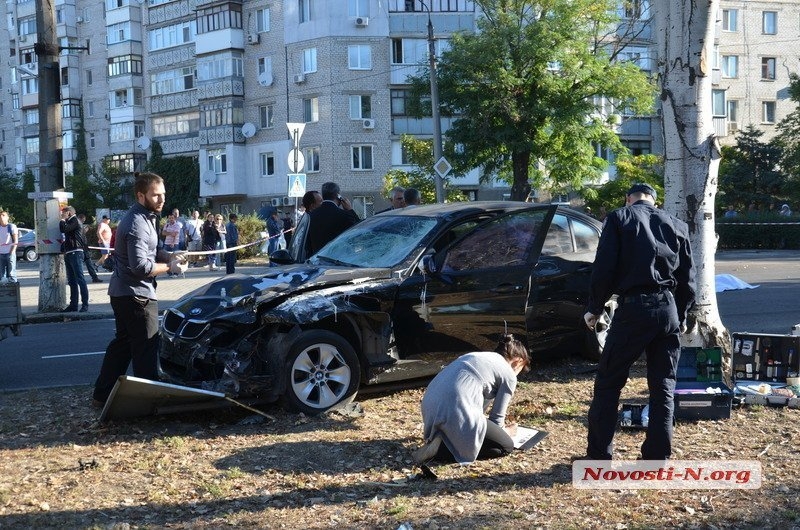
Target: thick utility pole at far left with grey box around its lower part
<point>48,201</point>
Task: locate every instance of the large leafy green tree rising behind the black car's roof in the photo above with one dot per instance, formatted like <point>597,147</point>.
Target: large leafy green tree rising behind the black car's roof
<point>523,90</point>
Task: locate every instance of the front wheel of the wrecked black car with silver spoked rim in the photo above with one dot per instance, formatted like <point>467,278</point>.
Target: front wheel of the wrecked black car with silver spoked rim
<point>322,373</point>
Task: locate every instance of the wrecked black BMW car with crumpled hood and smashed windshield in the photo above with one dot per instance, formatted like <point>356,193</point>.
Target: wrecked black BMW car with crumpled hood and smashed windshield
<point>394,298</point>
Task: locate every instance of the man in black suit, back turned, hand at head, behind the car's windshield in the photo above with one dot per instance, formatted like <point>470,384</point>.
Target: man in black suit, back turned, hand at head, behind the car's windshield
<point>329,219</point>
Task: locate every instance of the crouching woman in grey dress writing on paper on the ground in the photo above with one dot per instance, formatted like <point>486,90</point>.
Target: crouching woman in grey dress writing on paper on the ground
<point>455,426</point>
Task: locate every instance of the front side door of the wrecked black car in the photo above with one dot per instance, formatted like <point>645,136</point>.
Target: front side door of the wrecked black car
<point>478,291</point>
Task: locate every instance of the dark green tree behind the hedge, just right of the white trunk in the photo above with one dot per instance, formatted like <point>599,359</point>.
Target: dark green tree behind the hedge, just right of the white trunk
<point>749,173</point>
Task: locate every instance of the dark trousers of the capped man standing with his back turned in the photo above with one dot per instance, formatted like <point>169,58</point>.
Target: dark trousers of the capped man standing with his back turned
<point>643,322</point>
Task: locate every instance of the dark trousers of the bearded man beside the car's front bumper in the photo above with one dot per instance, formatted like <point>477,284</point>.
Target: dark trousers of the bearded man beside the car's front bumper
<point>136,341</point>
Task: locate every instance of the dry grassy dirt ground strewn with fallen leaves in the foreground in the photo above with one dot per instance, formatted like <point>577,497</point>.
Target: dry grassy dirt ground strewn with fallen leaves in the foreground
<point>60,468</point>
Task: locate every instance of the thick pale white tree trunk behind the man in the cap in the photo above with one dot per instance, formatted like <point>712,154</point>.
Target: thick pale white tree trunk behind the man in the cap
<point>686,37</point>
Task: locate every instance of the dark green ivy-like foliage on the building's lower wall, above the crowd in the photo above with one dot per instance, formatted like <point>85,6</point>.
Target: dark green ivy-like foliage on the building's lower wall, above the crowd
<point>181,176</point>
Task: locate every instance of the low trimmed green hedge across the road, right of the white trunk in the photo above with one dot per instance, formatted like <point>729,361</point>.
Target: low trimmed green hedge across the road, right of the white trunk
<point>767,232</point>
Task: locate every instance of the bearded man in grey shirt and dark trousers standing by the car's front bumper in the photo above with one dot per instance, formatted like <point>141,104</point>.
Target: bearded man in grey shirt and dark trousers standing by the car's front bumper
<point>138,261</point>
